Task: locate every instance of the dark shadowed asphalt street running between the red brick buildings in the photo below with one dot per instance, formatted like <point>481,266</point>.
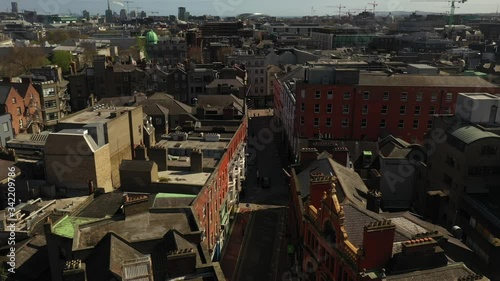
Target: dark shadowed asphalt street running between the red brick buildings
<point>262,243</point>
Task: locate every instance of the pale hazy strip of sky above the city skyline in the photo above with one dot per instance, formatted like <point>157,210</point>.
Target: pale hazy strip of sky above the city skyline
<point>225,8</point>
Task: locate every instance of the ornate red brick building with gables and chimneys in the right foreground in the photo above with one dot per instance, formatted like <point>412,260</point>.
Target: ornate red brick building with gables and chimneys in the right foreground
<point>339,237</point>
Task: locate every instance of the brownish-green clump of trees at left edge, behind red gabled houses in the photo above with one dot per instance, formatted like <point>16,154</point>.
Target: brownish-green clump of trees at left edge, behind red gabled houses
<point>21,60</point>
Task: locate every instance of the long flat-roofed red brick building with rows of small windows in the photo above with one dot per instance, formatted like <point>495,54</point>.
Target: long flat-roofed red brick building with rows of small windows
<point>344,104</point>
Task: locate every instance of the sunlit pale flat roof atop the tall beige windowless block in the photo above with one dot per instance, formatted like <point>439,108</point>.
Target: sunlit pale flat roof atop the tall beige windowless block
<point>102,115</point>
